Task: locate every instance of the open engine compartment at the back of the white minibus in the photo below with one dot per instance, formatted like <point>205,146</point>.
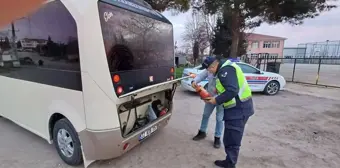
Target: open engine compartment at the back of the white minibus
<point>138,113</point>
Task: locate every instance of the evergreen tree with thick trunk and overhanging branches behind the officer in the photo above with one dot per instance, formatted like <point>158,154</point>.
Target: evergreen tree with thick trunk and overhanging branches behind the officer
<point>251,13</point>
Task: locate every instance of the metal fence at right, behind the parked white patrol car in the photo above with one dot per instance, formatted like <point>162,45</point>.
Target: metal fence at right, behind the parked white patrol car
<point>324,71</point>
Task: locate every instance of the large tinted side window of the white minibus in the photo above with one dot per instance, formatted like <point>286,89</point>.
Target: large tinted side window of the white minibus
<point>42,48</point>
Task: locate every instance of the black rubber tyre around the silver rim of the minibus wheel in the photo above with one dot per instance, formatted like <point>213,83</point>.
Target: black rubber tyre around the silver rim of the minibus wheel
<point>76,158</point>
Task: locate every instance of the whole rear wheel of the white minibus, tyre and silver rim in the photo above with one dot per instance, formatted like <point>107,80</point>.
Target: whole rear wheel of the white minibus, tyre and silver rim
<point>67,143</point>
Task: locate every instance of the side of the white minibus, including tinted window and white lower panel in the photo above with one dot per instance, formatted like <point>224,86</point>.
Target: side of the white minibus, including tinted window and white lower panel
<point>40,75</point>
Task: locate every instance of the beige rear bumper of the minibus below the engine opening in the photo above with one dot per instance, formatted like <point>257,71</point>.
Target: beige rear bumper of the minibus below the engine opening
<point>101,145</point>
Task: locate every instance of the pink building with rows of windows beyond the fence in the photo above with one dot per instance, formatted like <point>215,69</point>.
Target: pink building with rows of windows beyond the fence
<point>259,44</point>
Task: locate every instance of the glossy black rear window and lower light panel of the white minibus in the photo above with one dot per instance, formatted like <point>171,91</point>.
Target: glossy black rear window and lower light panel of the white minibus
<point>139,49</point>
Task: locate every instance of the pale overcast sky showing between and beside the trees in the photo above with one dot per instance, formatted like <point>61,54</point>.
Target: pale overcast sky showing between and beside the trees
<point>324,27</point>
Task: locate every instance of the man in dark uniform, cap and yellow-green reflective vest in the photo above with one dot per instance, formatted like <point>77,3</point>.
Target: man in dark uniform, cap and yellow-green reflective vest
<point>235,95</point>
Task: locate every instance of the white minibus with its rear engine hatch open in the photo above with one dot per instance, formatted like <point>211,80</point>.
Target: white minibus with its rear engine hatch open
<point>93,77</point>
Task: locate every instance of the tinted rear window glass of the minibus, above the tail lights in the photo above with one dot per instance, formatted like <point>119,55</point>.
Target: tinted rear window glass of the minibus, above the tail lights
<point>133,41</point>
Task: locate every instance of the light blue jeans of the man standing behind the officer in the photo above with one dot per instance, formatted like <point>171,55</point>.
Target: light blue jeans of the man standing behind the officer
<point>208,109</point>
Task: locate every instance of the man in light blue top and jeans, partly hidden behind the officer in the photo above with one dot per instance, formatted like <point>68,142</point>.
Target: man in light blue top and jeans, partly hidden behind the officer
<point>209,108</point>
